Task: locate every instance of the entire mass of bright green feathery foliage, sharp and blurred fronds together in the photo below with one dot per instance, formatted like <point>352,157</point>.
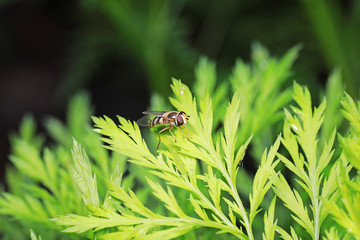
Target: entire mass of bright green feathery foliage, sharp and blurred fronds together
<point>110,184</point>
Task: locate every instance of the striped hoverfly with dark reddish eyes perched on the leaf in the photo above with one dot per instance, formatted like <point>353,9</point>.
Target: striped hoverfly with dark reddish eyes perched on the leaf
<point>170,118</point>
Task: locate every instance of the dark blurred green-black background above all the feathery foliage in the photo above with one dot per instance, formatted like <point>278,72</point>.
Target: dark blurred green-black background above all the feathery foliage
<point>121,51</point>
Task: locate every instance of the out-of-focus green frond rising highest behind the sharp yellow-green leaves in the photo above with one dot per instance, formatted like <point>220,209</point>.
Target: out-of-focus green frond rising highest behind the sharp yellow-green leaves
<point>262,89</point>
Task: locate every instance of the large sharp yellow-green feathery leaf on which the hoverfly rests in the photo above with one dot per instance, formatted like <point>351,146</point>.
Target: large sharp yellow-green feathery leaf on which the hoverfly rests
<point>177,167</point>
